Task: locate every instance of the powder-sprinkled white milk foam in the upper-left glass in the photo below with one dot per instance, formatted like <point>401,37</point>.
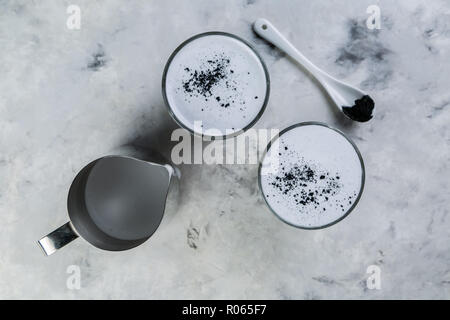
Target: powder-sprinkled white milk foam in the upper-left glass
<point>218,80</point>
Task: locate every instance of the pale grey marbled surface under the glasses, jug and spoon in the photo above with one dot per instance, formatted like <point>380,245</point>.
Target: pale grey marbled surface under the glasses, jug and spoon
<point>70,96</point>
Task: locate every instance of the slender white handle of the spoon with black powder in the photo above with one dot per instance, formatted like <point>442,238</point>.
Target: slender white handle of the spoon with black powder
<point>268,32</point>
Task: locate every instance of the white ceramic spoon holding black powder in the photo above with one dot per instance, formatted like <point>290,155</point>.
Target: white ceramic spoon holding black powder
<point>353,102</point>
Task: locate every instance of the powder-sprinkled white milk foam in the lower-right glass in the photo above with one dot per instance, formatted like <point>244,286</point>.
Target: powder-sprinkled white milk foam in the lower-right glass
<point>319,177</point>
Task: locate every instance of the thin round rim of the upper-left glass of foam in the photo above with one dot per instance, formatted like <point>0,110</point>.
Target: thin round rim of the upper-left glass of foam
<point>181,46</point>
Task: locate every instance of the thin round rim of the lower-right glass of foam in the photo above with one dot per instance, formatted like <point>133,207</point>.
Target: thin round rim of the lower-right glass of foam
<point>363,174</point>
